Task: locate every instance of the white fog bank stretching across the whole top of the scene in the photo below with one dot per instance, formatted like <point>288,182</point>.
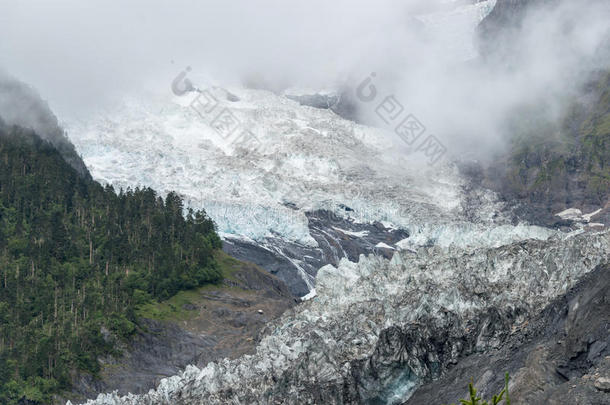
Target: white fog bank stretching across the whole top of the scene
<point>84,55</point>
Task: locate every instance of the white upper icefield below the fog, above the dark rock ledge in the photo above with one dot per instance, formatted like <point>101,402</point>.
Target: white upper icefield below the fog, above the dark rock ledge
<point>164,145</point>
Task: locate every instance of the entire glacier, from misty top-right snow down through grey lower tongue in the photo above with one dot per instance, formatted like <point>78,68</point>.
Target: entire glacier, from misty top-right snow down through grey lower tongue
<point>369,330</point>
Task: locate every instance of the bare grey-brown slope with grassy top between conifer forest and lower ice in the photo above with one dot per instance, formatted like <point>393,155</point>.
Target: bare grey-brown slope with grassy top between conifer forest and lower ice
<point>193,327</point>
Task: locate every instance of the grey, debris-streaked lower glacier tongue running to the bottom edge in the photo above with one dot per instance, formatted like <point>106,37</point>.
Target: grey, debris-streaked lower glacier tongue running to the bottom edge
<point>379,329</point>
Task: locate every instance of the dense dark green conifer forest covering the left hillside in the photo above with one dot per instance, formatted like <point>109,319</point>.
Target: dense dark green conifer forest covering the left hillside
<point>77,259</point>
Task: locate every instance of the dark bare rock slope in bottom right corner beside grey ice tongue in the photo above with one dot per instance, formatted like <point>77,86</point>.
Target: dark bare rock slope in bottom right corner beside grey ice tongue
<point>561,356</point>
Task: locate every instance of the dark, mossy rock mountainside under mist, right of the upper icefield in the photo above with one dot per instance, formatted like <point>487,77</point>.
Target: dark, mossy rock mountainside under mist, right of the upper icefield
<point>546,179</point>
